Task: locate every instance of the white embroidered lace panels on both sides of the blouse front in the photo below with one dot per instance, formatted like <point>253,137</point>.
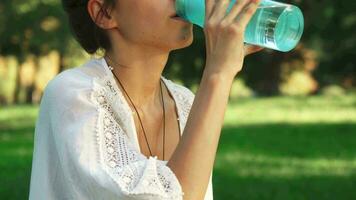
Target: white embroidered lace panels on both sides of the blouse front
<point>131,170</point>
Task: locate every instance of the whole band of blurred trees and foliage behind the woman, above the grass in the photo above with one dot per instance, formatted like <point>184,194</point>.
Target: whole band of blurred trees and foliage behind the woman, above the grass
<point>36,44</point>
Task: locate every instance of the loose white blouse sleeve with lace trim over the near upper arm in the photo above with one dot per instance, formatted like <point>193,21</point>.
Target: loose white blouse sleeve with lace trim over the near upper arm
<point>94,150</point>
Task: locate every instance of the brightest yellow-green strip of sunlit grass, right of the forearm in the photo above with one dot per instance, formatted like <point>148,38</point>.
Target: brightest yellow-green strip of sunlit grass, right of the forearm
<point>292,110</point>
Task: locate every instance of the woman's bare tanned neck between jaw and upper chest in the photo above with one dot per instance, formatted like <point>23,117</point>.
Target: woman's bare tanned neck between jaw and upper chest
<point>139,70</point>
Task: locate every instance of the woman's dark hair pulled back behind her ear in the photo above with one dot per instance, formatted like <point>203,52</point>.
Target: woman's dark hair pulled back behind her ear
<point>90,36</point>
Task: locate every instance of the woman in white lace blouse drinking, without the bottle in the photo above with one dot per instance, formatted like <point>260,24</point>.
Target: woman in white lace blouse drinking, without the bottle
<point>114,128</point>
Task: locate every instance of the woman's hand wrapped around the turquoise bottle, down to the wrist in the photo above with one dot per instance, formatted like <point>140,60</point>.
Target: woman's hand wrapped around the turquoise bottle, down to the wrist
<point>224,35</point>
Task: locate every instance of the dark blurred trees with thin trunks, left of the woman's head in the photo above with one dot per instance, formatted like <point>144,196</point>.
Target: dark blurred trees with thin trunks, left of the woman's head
<point>32,28</point>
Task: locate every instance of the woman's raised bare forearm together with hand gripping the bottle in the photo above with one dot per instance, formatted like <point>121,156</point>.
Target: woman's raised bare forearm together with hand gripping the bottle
<point>193,159</point>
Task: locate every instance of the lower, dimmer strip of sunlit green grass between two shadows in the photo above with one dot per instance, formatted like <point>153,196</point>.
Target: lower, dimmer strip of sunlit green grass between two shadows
<point>245,164</point>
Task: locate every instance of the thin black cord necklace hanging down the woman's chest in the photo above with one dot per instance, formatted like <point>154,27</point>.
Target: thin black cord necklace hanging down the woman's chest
<point>138,115</point>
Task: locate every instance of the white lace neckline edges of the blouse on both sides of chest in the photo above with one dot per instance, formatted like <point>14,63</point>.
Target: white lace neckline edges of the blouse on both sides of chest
<point>170,90</point>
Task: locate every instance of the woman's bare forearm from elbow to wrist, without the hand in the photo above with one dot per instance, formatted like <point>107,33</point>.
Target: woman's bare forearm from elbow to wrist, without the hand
<point>193,159</point>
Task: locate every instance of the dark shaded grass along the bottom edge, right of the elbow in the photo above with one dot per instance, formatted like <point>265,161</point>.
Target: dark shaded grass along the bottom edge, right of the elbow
<point>277,188</point>
